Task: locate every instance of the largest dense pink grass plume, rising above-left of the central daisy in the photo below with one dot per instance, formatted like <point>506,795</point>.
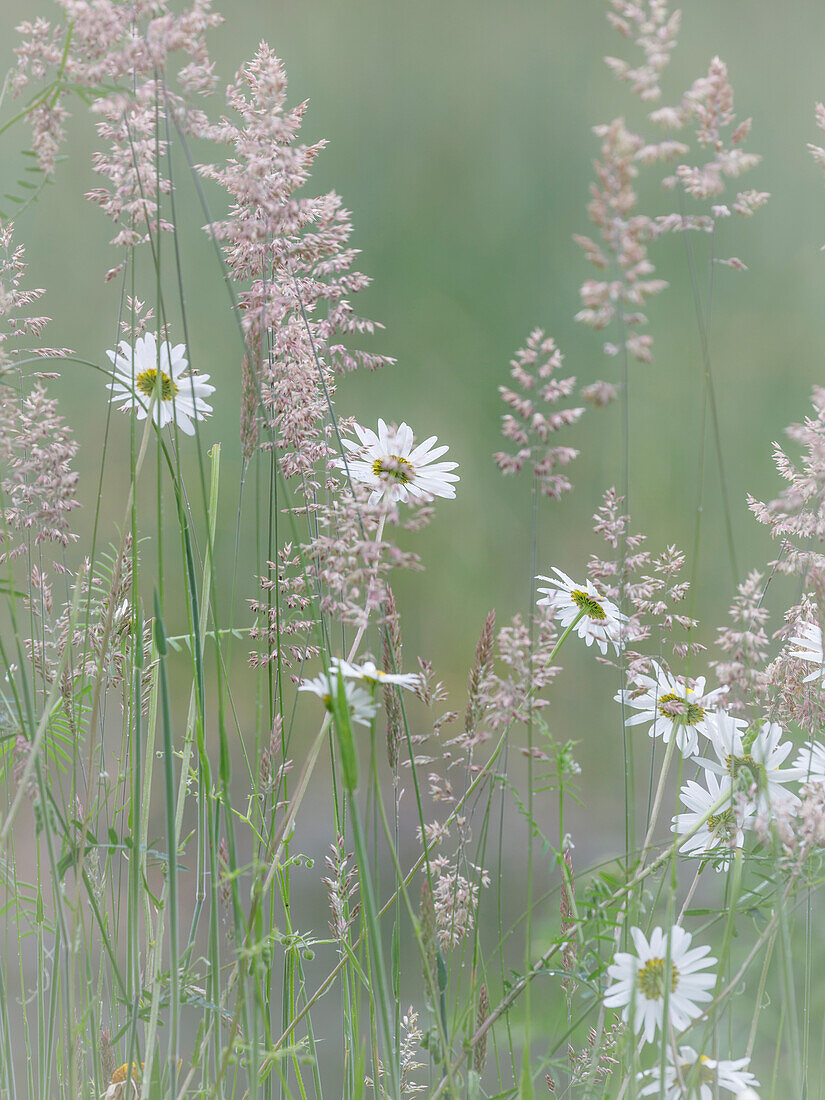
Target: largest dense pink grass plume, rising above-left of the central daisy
<point>293,256</point>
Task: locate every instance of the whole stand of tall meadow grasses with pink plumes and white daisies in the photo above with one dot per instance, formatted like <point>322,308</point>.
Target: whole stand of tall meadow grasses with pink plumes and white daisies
<point>196,764</point>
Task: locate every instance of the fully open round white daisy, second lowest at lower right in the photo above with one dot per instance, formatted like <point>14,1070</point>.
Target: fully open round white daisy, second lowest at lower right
<point>666,963</point>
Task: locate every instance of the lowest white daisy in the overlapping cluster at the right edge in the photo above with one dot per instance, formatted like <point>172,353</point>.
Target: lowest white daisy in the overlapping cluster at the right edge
<point>724,829</point>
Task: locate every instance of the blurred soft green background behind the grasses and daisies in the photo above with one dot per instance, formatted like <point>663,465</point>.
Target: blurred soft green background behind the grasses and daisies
<point>460,138</point>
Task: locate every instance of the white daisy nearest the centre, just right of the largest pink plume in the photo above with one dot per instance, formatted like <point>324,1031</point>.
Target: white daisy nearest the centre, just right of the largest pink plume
<point>397,470</point>
